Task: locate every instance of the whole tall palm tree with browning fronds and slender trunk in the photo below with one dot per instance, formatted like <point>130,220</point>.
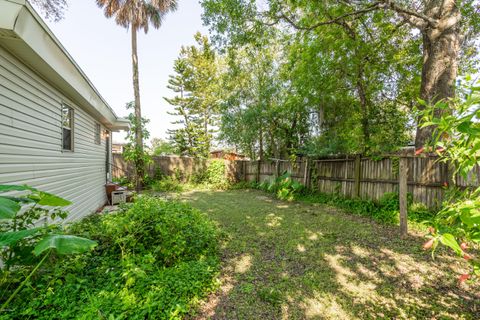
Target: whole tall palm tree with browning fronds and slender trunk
<point>136,15</point>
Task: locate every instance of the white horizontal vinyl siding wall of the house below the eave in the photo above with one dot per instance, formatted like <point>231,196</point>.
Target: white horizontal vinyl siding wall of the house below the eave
<point>31,141</point>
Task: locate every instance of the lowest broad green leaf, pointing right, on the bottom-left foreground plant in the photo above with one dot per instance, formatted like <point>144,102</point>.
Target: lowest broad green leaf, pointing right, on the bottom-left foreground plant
<point>64,244</point>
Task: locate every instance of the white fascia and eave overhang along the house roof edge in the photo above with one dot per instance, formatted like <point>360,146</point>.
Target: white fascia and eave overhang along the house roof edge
<point>32,42</point>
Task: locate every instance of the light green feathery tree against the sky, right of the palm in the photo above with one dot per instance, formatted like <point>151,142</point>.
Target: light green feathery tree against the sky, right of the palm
<point>196,102</point>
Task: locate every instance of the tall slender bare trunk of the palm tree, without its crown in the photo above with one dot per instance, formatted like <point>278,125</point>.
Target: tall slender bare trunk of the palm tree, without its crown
<point>139,163</point>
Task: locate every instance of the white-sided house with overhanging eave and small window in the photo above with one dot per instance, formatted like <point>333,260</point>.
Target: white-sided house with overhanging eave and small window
<point>55,128</point>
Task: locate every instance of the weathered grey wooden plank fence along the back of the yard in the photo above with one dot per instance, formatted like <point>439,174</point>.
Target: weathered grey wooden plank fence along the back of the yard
<point>354,176</point>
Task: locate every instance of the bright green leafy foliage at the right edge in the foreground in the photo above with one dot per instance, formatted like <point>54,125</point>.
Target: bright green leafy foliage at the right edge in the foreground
<point>457,139</point>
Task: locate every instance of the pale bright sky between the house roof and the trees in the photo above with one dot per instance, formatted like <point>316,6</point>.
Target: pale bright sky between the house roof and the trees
<point>103,51</point>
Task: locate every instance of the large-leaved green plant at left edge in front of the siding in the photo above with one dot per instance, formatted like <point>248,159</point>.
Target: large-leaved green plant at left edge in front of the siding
<point>22,240</point>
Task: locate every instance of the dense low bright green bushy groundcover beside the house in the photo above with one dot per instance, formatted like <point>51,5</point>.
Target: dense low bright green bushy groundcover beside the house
<point>155,260</point>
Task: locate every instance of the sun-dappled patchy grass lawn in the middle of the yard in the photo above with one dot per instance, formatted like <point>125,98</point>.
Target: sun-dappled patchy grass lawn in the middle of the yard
<point>296,260</point>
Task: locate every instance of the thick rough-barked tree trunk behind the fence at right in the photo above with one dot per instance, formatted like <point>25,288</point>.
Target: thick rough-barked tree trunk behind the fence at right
<point>441,47</point>
